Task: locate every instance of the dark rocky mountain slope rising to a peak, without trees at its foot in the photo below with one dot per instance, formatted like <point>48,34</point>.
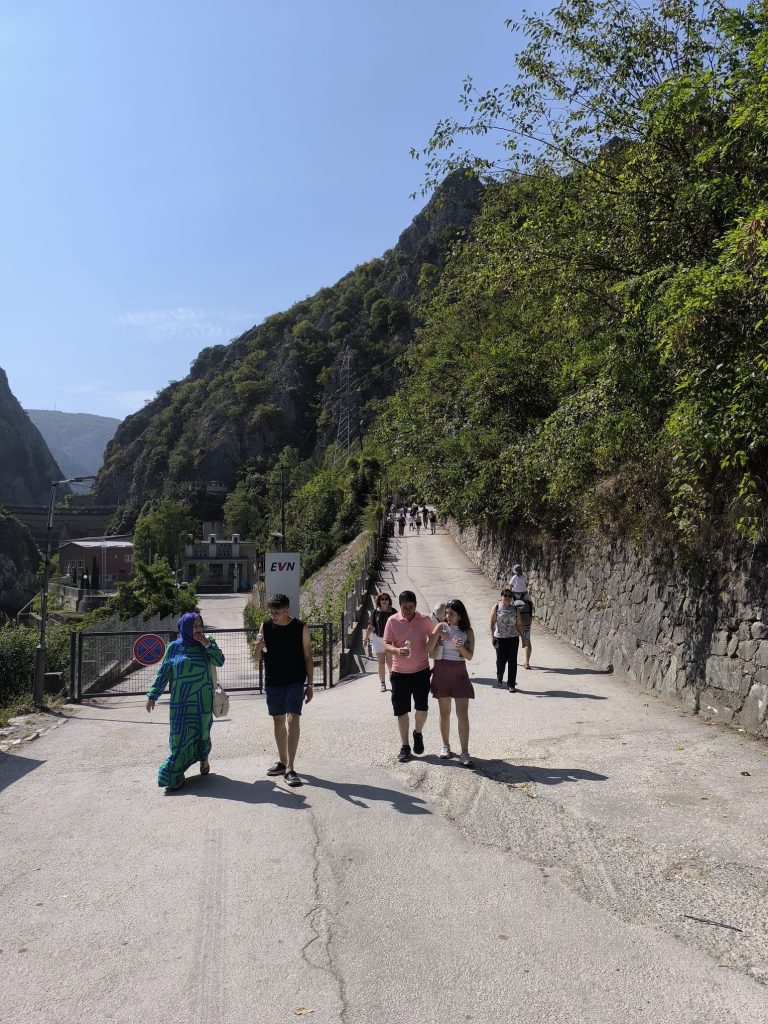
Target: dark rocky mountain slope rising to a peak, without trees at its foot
<point>281,383</point>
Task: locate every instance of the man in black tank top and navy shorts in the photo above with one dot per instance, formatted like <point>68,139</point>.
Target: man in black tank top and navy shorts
<point>285,646</point>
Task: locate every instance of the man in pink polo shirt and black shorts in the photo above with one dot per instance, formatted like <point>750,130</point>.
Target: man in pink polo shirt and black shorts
<point>408,636</point>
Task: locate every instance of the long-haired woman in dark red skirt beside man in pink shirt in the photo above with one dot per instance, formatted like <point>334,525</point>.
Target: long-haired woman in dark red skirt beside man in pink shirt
<point>451,679</point>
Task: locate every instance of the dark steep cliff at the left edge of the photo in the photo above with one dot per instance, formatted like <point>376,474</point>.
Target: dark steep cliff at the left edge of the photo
<point>27,467</point>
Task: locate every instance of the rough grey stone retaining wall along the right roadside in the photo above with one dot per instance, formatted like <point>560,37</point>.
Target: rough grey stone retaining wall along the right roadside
<point>698,634</point>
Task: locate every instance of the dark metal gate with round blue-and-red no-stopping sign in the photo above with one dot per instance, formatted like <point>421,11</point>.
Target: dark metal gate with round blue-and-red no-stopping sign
<point>104,665</point>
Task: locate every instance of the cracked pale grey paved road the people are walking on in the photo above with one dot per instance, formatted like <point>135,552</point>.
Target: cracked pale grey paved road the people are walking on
<point>604,863</point>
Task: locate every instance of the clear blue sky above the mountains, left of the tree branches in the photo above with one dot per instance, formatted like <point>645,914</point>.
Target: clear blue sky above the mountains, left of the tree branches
<point>174,172</point>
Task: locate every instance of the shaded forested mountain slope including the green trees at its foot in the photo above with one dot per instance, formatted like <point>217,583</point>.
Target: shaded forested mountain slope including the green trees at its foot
<point>274,398</point>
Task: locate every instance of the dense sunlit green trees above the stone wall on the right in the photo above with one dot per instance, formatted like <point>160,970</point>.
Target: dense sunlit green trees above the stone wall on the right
<point>595,356</point>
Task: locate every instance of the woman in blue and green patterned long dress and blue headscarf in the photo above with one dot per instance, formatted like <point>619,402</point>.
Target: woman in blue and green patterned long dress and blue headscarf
<point>187,666</point>
